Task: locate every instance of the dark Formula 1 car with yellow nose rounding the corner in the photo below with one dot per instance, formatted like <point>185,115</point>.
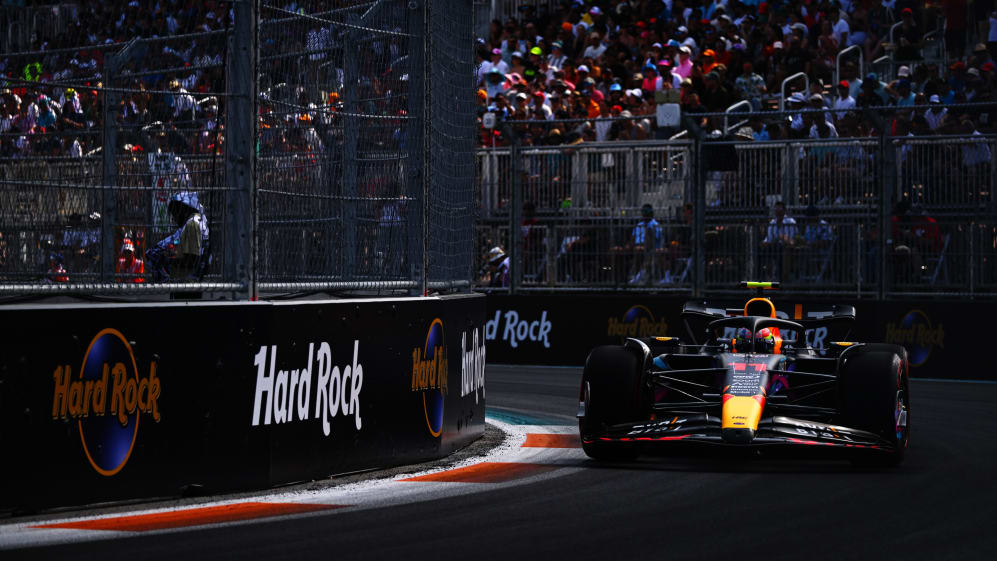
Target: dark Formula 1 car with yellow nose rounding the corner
<point>747,380</point>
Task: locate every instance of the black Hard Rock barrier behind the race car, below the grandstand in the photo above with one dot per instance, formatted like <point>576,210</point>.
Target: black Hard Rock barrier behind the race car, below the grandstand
<point>943,339</point>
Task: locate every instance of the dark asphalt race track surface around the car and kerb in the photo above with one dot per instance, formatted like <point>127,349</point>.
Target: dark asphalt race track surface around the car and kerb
<point>939,504</point>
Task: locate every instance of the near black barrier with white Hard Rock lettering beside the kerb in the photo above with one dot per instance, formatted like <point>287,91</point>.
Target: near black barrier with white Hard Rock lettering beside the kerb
<point>111,402</point>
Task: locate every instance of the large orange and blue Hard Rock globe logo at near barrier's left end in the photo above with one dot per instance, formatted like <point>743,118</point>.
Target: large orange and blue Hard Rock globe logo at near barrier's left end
<point>107,400</point>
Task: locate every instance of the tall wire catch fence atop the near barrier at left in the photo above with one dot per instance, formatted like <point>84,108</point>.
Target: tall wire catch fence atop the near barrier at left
<point>238,147</point>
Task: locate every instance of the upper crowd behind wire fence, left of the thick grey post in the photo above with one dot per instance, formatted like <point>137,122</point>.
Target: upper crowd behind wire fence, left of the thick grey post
<point>40,118</point>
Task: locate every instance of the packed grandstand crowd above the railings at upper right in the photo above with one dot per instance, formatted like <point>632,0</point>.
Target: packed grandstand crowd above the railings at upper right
<point>580,61</point>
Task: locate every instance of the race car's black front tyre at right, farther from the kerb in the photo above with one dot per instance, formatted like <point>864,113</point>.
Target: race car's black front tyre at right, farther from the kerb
<point>874,396</point>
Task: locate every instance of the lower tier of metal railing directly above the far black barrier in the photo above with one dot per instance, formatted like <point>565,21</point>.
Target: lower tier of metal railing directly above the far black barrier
<point>833,255</point>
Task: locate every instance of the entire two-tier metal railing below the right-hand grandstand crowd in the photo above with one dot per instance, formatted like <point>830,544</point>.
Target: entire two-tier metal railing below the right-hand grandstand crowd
<point>856,184</point>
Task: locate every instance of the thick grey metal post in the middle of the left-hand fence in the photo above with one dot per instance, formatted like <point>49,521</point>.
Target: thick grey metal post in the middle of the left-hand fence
<point>240,153</point>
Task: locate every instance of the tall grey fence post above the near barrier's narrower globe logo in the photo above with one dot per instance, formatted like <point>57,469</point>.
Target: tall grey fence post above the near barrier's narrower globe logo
<point>418,242</point>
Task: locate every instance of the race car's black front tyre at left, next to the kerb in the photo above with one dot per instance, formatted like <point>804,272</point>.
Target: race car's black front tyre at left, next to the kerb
<point>612,393</point>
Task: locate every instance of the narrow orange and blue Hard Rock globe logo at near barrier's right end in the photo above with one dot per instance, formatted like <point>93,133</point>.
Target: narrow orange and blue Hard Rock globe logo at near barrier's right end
<point>430,370</point>
